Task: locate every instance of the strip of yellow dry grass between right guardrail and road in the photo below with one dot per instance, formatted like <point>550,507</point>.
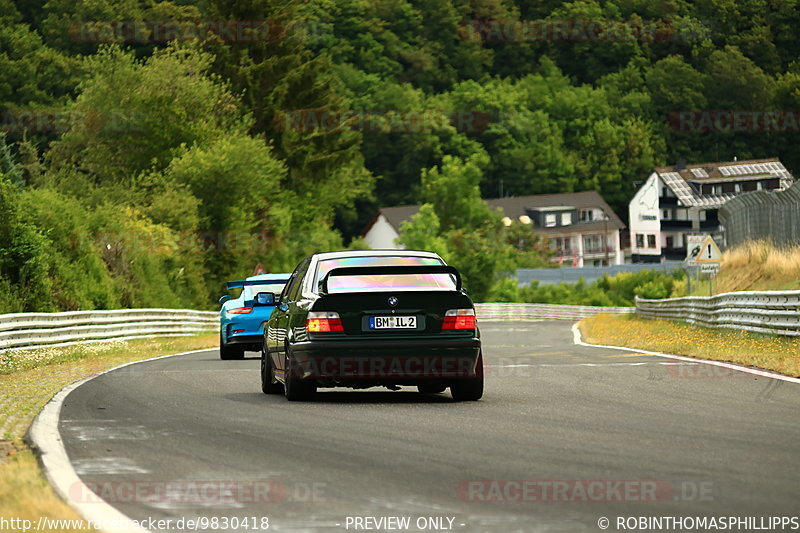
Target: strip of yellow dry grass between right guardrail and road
<point>768,352</point>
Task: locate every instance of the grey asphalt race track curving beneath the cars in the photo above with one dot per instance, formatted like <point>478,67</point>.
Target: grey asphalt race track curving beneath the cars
<point>564,435</point>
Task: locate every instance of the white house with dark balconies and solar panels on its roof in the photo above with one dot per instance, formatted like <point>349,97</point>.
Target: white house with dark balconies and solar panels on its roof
<point>682,200</point>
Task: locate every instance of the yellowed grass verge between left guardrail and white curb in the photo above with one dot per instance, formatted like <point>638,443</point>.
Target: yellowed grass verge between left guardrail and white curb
<point>27,382</point>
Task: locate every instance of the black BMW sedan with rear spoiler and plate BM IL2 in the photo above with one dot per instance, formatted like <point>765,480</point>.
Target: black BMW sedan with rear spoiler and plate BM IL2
<point>372,318</point>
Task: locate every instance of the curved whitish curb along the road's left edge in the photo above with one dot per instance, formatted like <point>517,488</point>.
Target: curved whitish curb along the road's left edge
<point>45,439</point>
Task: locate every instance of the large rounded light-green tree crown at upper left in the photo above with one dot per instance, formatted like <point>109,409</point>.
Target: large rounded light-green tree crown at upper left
<point>137,115</point>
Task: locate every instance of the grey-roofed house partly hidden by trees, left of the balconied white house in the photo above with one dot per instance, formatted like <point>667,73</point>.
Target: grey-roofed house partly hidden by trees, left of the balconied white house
<point>582,228</point>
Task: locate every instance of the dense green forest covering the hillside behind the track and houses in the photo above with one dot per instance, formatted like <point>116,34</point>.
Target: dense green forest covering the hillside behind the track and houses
<point>150,150</point>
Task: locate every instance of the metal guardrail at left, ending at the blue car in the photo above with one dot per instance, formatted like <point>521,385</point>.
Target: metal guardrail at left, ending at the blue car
<point>37,330</point>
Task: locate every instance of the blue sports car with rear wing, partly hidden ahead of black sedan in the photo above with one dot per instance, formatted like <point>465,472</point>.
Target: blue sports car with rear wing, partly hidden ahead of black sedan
<point>242,319</point>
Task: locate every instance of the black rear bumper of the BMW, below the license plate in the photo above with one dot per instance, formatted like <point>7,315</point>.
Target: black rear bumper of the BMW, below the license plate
<point>384,361</point>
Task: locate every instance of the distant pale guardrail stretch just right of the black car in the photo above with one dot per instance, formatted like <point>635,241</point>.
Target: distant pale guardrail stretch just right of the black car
<point>516,311</point>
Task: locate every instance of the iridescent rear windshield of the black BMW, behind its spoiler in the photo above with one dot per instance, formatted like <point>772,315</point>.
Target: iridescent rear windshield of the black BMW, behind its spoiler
<point>384,282</point>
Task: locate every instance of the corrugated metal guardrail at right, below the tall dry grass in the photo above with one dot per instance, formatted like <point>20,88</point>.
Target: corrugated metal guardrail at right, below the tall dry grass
<point>775,312</point>
